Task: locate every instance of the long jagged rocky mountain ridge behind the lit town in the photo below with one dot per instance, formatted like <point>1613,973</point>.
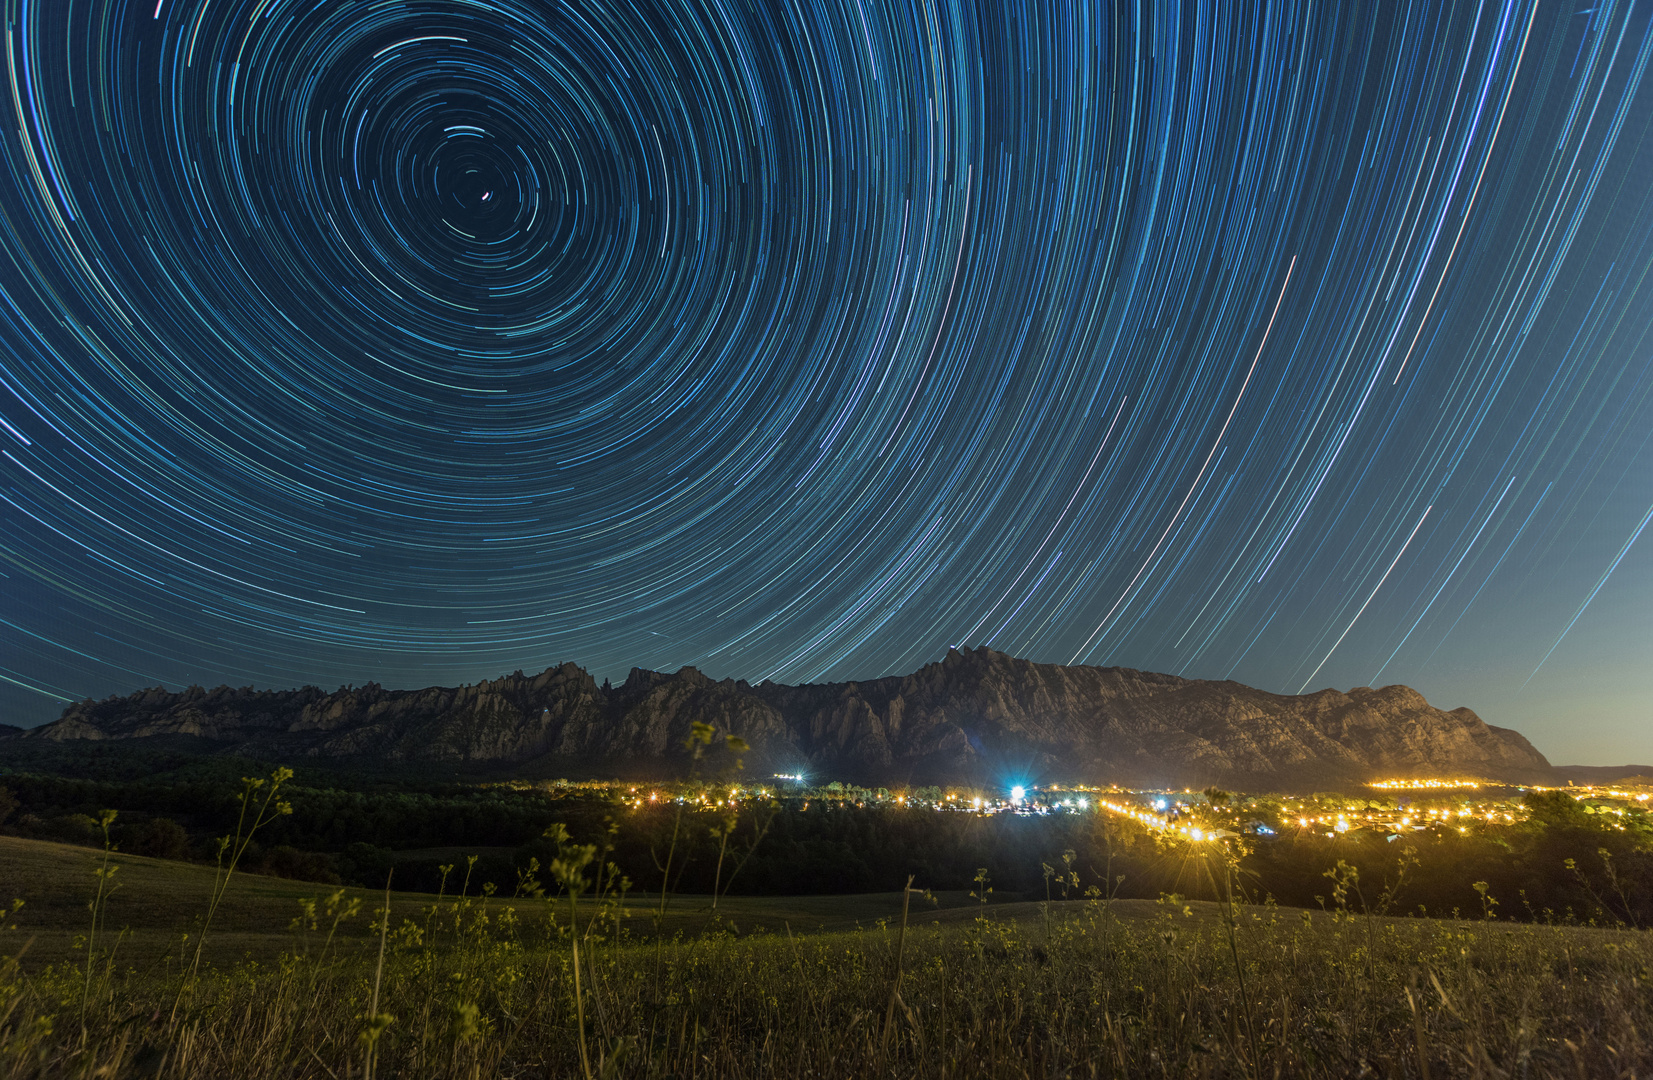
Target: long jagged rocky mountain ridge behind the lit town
<point>978,714</point>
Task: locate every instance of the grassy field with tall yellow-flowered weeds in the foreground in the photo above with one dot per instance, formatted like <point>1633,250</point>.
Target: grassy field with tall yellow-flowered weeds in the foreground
<point>801,987</point>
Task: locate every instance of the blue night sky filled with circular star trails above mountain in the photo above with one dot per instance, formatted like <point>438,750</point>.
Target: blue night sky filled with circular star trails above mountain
<point>426,342</point>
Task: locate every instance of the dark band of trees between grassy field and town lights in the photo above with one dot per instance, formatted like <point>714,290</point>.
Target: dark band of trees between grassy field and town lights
<point>839,839</point>
